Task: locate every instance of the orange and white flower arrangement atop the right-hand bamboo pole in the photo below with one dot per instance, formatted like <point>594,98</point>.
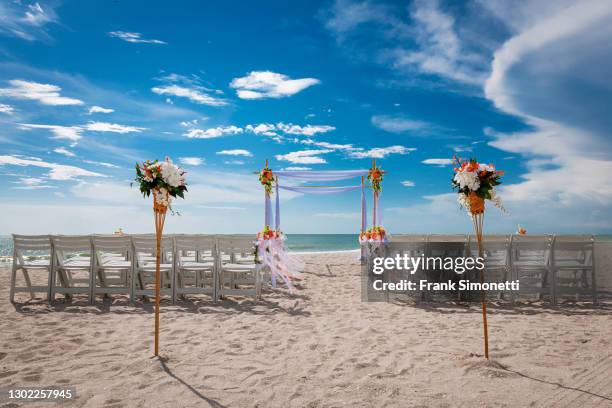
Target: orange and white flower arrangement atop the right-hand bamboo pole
<point>475,183</point>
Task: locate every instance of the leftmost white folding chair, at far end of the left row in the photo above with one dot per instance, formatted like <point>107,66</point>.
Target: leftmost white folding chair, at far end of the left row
<point>31,254</point>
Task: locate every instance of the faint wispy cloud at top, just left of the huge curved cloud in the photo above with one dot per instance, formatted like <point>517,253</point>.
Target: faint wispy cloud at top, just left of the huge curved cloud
<point>429,44</point>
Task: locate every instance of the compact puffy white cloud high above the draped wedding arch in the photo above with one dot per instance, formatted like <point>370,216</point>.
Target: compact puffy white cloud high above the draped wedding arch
<point>267,84</point>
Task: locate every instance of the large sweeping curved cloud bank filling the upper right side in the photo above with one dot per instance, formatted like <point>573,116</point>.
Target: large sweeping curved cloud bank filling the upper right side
<point>554,73</point>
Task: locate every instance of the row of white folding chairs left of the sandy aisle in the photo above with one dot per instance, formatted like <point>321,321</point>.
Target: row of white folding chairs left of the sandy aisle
<point>126,264</point>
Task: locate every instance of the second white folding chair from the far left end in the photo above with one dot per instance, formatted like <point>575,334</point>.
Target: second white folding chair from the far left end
<point>73,266</point>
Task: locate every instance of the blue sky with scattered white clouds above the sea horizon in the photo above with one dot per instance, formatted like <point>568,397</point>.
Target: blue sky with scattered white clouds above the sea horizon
<point>87,89</point>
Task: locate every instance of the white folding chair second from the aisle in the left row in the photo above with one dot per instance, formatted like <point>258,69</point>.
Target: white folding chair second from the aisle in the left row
<point>195,265</point>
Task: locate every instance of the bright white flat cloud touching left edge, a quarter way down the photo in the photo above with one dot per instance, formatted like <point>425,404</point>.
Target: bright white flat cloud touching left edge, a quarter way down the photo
<point>45,94</point>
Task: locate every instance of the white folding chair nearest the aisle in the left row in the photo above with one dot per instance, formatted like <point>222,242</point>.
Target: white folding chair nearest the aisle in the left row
<point>234,271</point>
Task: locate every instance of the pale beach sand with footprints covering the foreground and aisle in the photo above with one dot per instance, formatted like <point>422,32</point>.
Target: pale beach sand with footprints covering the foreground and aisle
<point>319,348</point>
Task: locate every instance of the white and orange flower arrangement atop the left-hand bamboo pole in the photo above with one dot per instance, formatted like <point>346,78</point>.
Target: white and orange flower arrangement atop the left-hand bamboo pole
<point>164,179</point>
